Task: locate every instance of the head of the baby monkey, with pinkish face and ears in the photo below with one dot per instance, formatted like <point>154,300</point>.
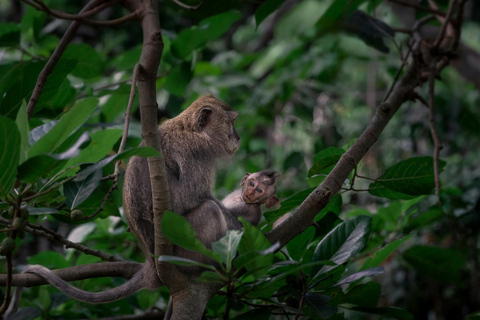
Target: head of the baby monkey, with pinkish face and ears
<point>259,188</point>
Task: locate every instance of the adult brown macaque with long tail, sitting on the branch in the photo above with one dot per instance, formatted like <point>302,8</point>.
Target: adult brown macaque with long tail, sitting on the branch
<point>191,143</point>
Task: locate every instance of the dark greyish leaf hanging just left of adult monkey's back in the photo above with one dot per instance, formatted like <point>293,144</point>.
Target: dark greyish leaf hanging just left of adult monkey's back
<point>78,191</point>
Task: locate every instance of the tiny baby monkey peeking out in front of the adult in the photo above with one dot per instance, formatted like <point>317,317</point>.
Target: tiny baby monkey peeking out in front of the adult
<point>258,188</point>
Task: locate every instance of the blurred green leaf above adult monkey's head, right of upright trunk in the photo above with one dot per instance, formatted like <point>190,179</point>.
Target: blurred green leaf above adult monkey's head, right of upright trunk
<point>209,29</point>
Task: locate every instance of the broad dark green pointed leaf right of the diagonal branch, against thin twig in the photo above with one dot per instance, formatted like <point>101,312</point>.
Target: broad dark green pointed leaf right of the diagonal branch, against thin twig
<point>413,176</point>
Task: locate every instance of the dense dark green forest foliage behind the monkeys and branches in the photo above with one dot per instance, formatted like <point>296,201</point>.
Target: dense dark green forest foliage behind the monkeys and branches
<point>306,78</point>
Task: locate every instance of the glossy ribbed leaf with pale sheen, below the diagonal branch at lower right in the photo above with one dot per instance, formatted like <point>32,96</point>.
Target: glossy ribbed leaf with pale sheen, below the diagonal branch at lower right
<point>343,242</point>
